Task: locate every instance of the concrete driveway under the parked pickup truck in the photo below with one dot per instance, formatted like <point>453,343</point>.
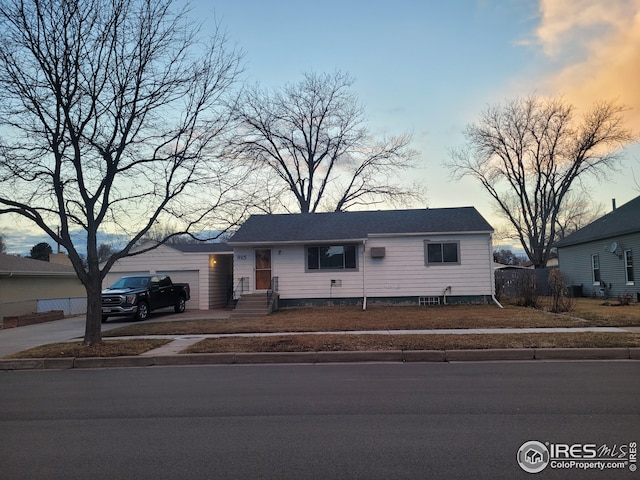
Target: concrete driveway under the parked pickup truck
<point>13,340</point>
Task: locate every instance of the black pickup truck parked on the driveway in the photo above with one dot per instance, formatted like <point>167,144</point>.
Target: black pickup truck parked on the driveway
<point>141,294</point>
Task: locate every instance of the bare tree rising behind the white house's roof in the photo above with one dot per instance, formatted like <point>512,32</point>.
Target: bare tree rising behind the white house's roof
<point>312,135</point>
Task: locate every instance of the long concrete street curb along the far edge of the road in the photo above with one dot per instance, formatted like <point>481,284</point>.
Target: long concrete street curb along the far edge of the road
<point>389,356</point>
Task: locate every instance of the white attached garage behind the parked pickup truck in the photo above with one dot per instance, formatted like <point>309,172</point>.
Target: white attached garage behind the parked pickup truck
<point>207,267</point>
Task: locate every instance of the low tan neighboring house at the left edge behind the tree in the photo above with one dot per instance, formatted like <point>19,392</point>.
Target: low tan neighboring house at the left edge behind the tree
<point>25,282</point>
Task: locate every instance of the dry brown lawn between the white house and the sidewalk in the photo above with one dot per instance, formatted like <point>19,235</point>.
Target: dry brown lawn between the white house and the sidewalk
<point>587,312</point>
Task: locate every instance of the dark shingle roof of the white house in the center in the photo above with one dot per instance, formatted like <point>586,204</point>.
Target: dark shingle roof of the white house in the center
<point>320,227</point>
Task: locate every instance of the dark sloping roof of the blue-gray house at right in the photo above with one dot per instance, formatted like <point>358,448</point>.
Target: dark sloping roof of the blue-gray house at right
<point>622,221</point>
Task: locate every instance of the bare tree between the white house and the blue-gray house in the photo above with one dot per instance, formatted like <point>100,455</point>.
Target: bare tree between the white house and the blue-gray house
<point>528,155</point>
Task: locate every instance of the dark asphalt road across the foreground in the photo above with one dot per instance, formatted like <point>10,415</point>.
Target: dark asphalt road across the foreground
<point>368,421</point>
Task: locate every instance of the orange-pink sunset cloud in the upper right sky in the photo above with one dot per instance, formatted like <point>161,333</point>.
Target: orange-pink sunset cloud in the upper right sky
<point>598,43</point>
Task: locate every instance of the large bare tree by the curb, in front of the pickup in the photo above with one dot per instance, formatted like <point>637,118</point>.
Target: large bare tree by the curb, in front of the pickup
<point>110,110</point>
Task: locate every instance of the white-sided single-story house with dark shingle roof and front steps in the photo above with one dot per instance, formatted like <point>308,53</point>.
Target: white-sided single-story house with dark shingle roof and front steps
<point>414,256</point>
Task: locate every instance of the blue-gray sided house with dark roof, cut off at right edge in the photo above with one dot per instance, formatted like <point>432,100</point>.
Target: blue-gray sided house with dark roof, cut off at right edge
<point>599,257</point>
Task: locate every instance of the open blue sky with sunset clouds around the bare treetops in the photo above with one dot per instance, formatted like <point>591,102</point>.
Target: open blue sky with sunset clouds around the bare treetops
<point>429,67</point>
